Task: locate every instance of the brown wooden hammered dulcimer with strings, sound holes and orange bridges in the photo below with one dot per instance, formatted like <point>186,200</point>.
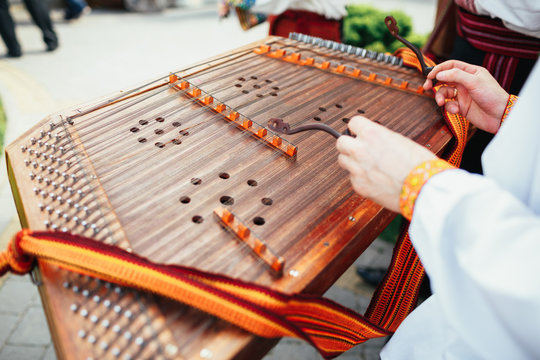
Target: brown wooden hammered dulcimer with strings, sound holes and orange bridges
<point>185,170</point>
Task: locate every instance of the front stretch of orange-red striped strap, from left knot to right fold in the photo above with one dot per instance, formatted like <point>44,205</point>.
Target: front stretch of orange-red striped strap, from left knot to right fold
<point>328,326</point>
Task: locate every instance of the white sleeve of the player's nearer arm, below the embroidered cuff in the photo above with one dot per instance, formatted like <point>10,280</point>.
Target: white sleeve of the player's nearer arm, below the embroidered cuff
<point>480,247</point>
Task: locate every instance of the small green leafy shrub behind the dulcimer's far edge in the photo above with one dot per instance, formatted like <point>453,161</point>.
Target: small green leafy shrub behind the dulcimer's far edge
<point>364,27</point>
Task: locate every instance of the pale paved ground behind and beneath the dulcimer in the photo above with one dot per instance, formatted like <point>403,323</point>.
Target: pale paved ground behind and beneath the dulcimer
<point>109,51</point>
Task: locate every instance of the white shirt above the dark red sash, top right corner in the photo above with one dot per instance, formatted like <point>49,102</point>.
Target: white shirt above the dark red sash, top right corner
<point>519,15</point>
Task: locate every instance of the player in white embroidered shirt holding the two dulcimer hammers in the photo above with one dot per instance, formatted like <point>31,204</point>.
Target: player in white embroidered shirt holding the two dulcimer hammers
<point>478,236</point>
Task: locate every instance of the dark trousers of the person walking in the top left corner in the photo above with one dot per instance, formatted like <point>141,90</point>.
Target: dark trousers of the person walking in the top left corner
<point>39,12</point>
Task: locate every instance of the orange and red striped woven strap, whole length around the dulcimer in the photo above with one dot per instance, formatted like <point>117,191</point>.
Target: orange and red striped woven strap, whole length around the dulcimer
<point>331,328</point>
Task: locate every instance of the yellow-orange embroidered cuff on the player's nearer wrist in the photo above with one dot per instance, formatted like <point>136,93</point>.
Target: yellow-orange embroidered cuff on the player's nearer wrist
<point>414,182</point>
